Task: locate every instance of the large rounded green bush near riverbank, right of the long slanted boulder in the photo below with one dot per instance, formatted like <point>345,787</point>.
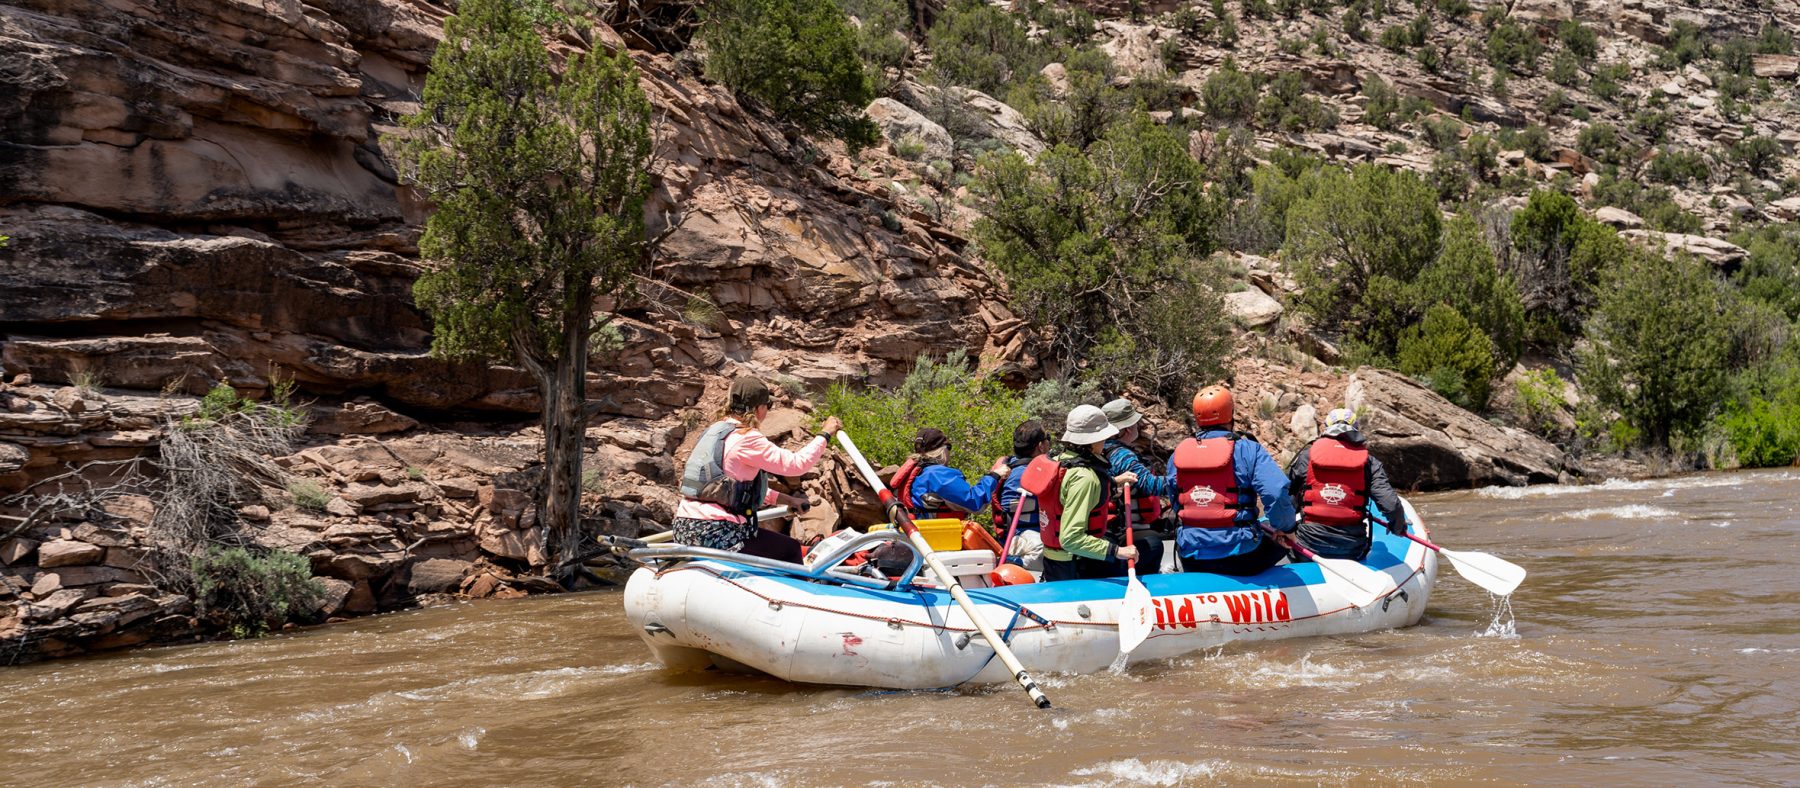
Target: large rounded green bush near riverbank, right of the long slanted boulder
<point>1657,339</point>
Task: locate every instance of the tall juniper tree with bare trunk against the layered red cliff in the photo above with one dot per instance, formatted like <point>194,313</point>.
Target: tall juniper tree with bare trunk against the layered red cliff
<point>539,184</point>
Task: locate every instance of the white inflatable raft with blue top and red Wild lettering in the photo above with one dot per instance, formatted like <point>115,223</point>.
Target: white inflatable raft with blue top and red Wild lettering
<point>820,625</point>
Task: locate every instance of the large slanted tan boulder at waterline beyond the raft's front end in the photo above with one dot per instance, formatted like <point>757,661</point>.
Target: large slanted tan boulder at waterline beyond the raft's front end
<point>1430,443</point>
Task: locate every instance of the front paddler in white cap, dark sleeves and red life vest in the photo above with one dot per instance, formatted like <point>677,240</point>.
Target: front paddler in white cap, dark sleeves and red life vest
<point>1335,479</point>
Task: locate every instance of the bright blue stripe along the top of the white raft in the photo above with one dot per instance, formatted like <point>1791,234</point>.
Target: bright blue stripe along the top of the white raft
<point>1387,551</point>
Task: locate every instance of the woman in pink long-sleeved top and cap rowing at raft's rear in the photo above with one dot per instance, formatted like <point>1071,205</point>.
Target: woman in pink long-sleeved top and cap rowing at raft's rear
<point>744,458</point>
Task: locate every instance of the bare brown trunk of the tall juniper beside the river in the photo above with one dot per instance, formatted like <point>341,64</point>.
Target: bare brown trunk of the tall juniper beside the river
<point>566,431</point>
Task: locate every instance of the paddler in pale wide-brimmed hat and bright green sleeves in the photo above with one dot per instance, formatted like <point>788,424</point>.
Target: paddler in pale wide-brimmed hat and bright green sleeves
<point>1079,503</point>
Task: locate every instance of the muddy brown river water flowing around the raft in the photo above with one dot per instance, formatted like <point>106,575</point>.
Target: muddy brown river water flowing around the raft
<point>1655,641</point>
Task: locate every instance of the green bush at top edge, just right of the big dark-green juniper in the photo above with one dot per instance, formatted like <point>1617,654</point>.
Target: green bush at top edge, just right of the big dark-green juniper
<point>982,48</point>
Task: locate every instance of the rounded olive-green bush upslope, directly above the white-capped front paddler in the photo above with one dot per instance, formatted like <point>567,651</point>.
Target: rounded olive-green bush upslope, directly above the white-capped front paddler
<point>1354,228</point>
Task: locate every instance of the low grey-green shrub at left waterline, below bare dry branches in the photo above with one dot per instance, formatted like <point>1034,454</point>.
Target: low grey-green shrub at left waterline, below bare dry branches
<point>253,593</point>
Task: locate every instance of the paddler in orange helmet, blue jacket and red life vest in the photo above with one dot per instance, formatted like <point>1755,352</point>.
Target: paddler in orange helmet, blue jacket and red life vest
<point>1219,479</point>
